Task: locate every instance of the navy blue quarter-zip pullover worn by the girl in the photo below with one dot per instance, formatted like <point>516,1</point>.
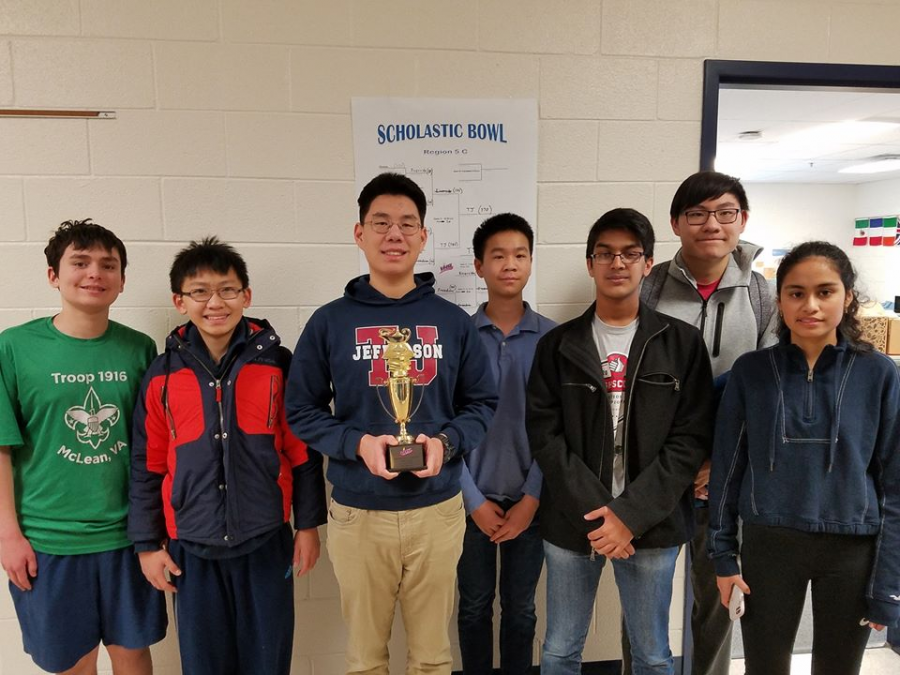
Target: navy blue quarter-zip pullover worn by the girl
<point>816,450</point>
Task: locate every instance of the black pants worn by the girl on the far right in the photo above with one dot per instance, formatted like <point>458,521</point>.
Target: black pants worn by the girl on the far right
<point>778,563</point>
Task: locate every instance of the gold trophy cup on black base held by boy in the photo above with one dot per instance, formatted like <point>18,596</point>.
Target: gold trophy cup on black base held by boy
<point>407,455</point>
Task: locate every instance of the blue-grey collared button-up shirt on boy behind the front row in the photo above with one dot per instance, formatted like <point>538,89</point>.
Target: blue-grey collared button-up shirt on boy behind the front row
<point>501,468</point>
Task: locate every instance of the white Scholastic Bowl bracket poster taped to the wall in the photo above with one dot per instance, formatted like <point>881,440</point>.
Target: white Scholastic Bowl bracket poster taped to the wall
<point>472,158</point>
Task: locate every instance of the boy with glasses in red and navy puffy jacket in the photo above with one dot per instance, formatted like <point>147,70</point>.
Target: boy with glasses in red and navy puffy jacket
<point>216,473</point>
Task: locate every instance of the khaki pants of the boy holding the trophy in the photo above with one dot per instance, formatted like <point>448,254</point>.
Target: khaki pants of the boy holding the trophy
<point>380,557</point>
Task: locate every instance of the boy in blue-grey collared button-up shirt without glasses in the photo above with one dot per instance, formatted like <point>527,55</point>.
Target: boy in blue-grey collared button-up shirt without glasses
<point>501,483</point>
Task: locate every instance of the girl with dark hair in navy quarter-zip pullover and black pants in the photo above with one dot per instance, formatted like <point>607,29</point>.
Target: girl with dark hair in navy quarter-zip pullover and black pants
<point>807,455</point>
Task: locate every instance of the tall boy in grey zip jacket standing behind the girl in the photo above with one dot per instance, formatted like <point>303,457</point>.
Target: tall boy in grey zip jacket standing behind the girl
<point>710,284</point>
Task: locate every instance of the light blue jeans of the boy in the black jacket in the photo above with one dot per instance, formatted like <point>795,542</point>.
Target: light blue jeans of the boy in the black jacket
<point>645,589</point>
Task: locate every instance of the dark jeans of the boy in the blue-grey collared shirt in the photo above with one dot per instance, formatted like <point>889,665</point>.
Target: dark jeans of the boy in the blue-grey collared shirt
<point>520,567</point>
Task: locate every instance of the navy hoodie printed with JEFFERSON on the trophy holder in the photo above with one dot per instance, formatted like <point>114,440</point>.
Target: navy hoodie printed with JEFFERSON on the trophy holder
<point>339,360</point>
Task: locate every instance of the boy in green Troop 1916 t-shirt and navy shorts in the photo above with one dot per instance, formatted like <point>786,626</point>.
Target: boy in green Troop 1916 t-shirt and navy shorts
<point>67,389</point>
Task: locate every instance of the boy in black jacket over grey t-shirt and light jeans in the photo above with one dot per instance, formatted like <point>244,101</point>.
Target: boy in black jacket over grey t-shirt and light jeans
<point>620,409</point>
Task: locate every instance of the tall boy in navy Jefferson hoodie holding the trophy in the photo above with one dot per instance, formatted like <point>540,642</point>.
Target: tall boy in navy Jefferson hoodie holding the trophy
<point>392,536</point>
